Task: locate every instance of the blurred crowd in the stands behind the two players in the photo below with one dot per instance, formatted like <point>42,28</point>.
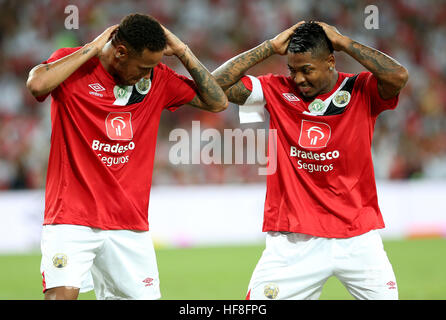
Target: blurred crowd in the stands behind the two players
<point>409,142</point>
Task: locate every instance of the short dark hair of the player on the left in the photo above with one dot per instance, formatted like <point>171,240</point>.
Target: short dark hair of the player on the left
<point>140,31</point>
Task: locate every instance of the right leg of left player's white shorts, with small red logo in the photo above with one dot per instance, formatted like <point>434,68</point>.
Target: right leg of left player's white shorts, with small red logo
<point>126,267</point>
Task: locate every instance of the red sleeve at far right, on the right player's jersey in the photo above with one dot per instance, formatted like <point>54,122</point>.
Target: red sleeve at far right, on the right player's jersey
<point>377,104</point>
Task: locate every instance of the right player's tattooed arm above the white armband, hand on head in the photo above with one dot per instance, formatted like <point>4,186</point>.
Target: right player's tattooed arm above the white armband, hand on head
<point>228,75</point>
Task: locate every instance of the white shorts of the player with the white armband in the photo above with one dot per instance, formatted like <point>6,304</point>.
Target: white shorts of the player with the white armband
<point>296,266</point>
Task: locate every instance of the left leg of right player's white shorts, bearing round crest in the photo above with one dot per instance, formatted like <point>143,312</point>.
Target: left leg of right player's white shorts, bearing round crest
<point>293,266</point>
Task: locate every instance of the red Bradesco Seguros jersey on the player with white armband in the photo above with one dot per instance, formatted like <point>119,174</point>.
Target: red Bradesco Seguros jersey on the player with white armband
<point>324,184</point>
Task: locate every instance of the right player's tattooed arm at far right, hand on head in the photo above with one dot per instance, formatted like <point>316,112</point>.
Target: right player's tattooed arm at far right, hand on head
<point>391,75</point>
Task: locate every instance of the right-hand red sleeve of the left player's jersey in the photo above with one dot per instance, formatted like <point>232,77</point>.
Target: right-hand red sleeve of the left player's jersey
<point>180,90</point>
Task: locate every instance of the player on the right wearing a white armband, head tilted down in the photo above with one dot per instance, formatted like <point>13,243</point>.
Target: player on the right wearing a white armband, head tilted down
<point>321,210</point>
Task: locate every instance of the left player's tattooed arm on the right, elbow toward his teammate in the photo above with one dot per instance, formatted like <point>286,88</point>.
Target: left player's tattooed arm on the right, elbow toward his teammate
<point>210,96</point>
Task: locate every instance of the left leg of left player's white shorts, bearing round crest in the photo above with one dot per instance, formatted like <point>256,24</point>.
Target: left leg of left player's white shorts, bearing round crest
<point>67,256</point>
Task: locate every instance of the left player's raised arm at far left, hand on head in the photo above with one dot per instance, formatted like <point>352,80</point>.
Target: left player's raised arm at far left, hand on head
<point>44,78</point>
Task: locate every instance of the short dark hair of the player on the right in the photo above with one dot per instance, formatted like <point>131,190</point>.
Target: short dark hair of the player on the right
<point>310,37</point>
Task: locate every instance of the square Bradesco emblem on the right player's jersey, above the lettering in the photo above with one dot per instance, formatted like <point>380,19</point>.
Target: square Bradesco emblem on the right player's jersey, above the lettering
<point>314,134</point>
